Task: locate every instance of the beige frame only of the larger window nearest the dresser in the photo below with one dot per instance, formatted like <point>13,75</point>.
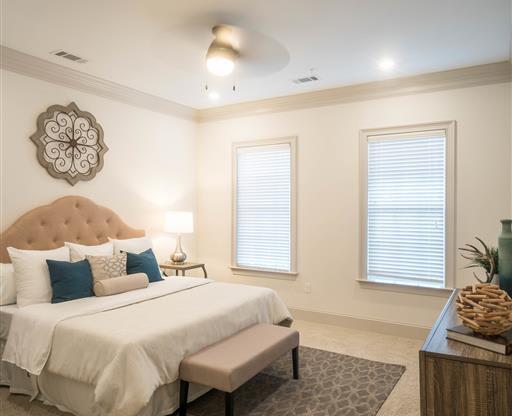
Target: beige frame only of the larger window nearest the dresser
<point>450,197</point>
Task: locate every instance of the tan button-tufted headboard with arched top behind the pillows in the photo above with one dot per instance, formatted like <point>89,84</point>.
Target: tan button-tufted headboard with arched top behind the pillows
<point>71,218</point>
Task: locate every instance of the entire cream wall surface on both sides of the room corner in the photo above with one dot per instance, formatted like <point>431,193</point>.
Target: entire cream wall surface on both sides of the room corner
<point>156,162</point>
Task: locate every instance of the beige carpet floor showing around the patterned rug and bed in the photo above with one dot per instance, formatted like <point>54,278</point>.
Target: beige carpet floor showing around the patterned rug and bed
<point>403,400</point>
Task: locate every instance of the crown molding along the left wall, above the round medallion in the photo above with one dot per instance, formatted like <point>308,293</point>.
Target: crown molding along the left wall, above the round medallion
<point>24,64</point>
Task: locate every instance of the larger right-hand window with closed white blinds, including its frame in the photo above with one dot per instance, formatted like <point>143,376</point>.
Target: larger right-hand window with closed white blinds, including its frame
<point>408,175</point>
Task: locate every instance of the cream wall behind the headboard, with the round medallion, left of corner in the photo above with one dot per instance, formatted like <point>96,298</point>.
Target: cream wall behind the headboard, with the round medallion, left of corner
<point>149,168</point>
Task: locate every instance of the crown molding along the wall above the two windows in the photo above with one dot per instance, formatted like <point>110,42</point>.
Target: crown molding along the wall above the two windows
<point>494,73</point>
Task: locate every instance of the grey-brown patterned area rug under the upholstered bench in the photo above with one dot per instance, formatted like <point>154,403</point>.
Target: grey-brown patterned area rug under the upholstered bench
<point>331,384</point>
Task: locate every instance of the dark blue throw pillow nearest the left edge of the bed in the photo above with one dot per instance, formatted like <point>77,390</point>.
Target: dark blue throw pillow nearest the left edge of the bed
<point>70,280</point>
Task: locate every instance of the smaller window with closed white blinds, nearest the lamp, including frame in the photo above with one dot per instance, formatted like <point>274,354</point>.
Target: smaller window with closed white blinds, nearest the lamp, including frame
<point>264,205</point>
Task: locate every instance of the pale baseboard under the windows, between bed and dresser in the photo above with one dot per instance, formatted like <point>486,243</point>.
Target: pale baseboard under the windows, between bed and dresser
<point>364,324</point>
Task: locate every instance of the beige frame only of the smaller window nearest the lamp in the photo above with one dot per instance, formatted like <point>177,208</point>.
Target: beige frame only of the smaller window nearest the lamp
<point>255,271</point>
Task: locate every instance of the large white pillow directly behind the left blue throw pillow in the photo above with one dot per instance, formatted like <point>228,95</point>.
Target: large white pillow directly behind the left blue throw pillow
<point>31,273</point>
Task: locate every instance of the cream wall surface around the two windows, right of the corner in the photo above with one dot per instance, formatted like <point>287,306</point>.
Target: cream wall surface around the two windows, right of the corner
<point>328,193</point>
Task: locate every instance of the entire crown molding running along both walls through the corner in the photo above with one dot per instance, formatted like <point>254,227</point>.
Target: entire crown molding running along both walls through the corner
<point>22,63</point>
